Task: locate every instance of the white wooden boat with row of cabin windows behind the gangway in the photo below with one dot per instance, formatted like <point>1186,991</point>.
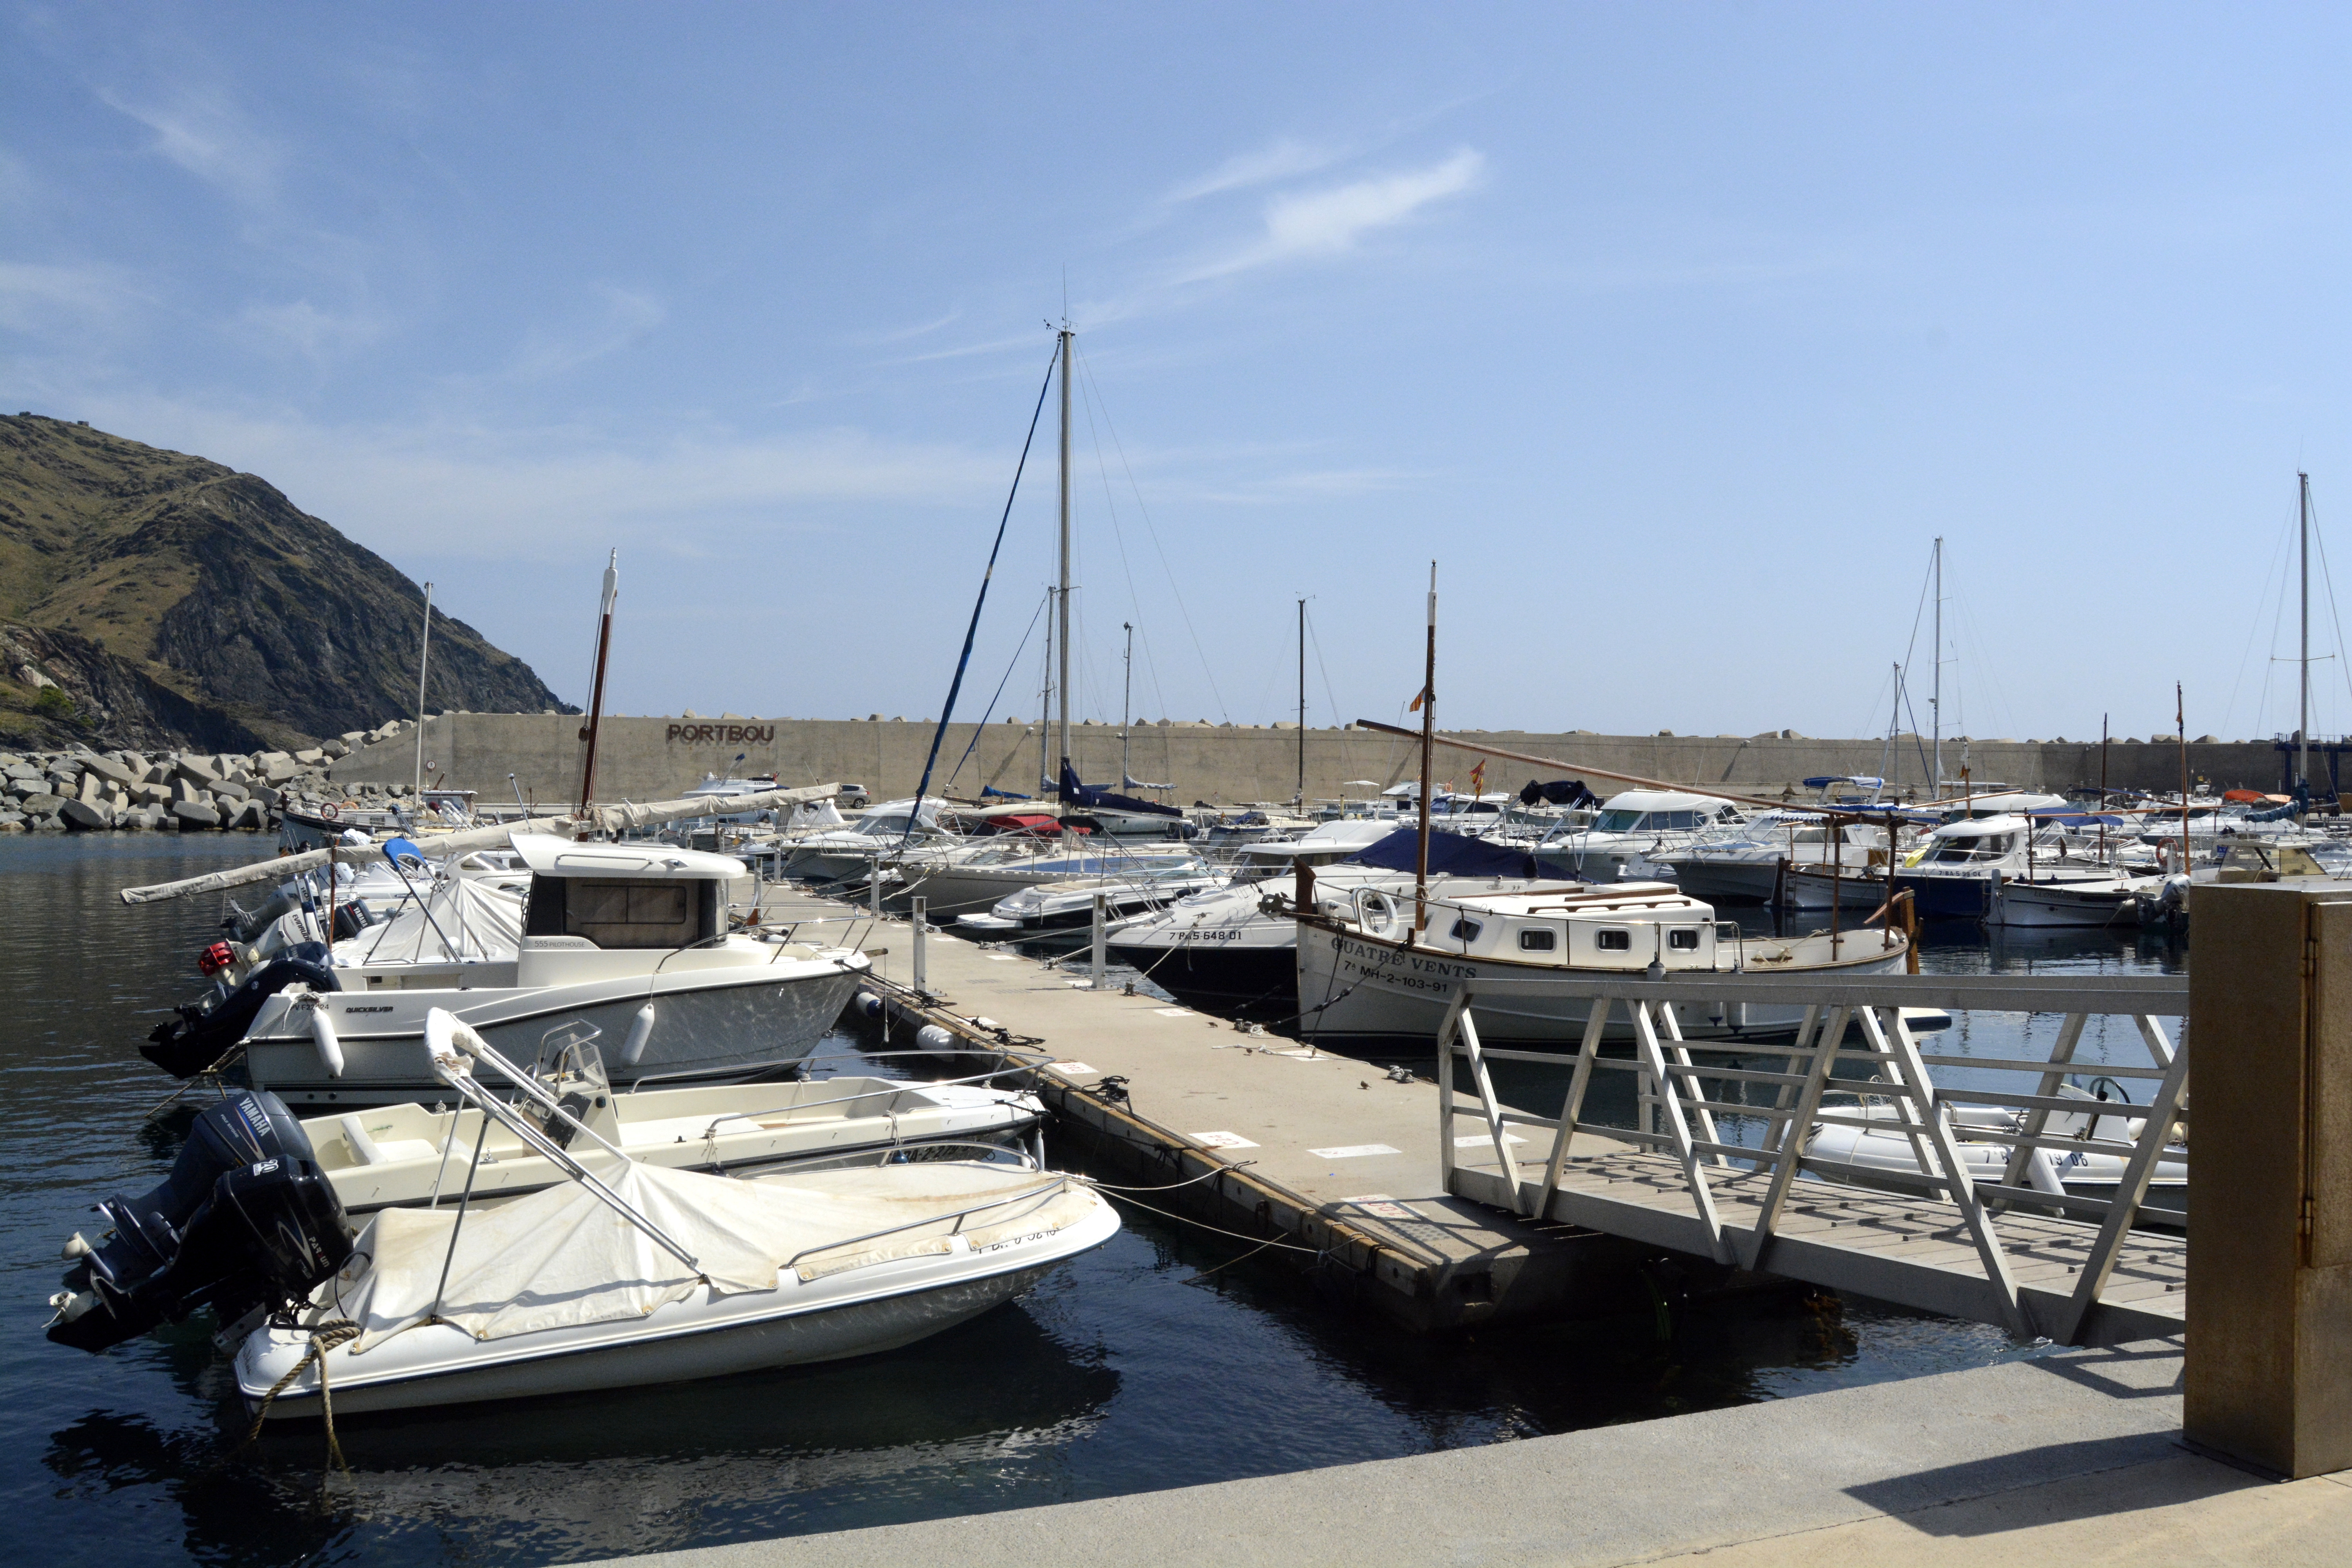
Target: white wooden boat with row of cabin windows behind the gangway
<point>1363,974</point>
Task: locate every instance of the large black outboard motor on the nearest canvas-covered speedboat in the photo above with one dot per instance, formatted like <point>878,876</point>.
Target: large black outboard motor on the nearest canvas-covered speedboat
<point>246,1224</point>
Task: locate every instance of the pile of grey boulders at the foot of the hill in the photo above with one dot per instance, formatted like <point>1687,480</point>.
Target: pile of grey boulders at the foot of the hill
<point>91,791</point>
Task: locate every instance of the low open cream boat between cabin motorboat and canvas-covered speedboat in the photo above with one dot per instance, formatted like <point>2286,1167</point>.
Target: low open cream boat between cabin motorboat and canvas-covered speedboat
<point>413,1153</point>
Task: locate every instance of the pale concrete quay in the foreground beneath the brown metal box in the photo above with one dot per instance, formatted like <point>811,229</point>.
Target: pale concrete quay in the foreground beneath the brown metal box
<point>2069,1459</point>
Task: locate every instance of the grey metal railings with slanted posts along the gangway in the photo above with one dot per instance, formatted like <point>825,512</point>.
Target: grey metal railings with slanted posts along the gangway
<point>1678,1111</point>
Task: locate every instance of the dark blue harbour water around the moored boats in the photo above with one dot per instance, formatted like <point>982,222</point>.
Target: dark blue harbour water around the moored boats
<point>1154,1362</point>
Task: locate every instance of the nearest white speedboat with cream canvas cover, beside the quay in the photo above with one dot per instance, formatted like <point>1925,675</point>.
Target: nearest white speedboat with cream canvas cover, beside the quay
<point>634,1273</point>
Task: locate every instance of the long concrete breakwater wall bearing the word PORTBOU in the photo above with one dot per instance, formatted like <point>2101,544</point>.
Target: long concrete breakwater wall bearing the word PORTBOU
<point>643,758</point>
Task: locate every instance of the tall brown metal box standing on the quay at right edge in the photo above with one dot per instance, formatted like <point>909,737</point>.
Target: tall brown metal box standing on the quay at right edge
<point>2271,1172</point>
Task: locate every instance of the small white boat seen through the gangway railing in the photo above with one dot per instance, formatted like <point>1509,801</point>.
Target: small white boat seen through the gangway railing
<point>2092,1172</point>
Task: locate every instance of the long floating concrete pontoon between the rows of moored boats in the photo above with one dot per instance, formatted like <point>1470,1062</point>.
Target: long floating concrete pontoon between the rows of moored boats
<point>1278,1141</point>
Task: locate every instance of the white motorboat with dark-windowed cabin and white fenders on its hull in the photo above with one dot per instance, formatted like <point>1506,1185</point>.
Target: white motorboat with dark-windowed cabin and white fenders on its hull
<point>632,939</point>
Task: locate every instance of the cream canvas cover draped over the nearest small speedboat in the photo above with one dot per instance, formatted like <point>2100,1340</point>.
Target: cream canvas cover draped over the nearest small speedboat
<point>563,1259</point>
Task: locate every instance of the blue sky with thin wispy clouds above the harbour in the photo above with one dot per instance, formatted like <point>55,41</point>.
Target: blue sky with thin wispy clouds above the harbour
<point>1671,333</point>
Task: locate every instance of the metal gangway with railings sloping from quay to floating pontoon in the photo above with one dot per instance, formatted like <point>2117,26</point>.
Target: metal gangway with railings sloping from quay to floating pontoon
<point>2071,1268</point>
